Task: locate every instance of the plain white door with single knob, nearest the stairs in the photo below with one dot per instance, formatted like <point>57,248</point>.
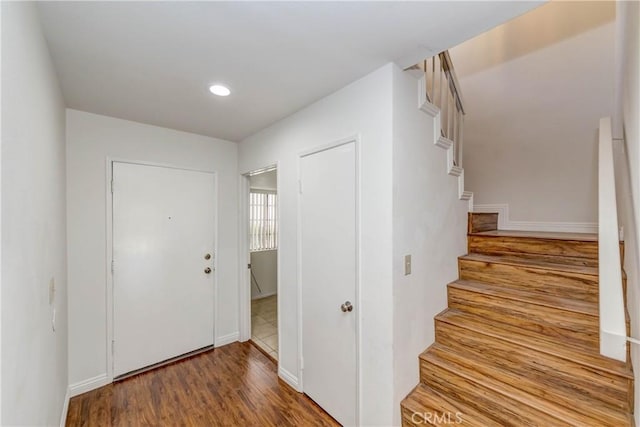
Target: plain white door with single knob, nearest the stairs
<point>328,276</point>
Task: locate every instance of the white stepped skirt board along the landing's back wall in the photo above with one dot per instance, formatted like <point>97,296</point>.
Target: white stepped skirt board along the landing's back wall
<point>505,222</point>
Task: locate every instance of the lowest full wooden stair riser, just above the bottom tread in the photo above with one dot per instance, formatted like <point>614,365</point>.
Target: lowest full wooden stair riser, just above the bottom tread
<point>500,407</point>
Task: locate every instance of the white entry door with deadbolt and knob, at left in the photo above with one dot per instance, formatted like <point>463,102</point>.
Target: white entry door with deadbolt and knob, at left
<point>163,290</point>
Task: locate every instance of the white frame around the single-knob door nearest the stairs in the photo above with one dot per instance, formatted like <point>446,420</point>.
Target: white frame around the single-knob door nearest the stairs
<point>355,139</point>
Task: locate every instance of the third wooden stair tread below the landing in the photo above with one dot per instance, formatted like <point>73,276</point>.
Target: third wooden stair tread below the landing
<point>535,341</point>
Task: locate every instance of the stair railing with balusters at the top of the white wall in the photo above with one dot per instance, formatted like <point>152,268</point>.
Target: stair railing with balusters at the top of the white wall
<point>443,91</point>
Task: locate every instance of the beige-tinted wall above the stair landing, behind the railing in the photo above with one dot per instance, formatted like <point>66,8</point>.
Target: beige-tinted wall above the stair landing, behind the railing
<point>535,89</point>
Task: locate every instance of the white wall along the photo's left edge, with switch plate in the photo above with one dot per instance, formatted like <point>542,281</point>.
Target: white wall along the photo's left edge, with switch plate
<point>34,357</point>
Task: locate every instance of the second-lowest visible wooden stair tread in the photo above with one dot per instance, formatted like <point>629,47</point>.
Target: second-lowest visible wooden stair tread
<point>480,373</point>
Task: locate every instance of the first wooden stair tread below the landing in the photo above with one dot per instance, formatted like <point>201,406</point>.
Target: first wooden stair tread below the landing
<point>533,261</point>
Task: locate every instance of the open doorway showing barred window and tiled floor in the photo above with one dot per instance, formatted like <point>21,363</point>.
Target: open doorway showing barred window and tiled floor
<point>263,259</point>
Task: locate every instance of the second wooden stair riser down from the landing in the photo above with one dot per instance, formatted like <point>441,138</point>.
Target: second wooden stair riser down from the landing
<point>558,283</point>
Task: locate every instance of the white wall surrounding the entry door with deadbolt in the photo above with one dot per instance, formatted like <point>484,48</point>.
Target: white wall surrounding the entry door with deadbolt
<point>90,140</point>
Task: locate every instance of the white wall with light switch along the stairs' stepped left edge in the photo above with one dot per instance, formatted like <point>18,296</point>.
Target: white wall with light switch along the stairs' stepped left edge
<point>429,223</point>
